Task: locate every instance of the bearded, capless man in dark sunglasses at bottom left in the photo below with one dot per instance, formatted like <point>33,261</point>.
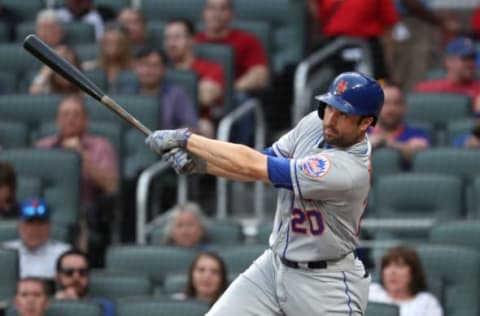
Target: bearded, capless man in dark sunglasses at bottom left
<point>73,278</point>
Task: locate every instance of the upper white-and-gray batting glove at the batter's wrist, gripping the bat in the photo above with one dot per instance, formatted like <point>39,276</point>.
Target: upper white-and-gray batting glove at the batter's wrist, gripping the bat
<point>162,140</point>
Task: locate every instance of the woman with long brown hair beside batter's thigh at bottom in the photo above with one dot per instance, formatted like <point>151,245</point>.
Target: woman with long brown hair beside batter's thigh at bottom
<point>207,278</point>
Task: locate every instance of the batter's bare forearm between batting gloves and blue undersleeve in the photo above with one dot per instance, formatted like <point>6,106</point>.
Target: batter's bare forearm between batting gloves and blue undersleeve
<point>229,160</point>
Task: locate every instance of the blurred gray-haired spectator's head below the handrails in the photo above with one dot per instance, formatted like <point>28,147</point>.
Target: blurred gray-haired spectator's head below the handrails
<point>185,226</point>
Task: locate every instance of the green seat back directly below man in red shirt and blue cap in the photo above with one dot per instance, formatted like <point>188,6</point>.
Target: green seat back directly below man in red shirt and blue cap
<point>437,108</point>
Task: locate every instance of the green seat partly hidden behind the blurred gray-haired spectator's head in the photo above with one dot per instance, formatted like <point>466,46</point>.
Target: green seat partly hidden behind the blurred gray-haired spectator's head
<point>218,232</point>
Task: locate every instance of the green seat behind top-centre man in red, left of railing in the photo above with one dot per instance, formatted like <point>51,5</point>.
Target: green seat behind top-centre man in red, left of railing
<point>287,22</point>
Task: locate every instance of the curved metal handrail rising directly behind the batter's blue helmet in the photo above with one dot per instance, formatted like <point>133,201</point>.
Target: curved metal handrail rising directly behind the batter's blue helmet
<point>304,69</point>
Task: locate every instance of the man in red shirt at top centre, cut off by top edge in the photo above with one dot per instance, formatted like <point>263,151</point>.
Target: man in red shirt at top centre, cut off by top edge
<point>251,68</point>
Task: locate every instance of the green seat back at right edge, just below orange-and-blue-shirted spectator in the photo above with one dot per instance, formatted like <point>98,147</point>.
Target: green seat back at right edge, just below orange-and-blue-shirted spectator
<point>464,163</point>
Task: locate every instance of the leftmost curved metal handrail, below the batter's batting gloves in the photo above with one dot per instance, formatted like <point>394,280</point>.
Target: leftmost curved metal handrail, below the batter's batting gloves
<point>144,181</point>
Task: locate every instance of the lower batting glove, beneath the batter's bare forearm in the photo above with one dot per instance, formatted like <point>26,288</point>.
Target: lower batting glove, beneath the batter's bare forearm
<point>184,162</point>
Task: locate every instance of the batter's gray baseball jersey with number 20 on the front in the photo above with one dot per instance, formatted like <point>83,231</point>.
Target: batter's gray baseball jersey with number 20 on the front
<point>320,218</point>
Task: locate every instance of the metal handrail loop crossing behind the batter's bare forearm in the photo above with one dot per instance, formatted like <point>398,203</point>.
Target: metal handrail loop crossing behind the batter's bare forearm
<point>224,130</point>
